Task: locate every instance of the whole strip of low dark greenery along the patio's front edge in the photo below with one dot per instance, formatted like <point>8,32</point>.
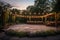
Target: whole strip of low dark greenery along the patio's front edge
<point>36,34</point>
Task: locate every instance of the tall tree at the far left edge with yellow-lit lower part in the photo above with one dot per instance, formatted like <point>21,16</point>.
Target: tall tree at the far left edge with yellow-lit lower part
<point>4,10</point>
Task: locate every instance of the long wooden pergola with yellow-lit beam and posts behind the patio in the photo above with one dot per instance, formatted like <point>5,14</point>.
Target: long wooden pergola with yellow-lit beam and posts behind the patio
<point>30,17</point>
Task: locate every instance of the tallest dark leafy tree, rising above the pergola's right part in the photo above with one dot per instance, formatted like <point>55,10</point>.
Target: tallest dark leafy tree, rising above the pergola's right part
<point>45,5</point>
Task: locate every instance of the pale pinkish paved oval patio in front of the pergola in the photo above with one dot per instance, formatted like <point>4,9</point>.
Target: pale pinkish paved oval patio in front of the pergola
<point>30,27</point>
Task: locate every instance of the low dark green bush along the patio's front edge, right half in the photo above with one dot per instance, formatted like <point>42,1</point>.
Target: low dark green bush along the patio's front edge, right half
<point>43,34</point>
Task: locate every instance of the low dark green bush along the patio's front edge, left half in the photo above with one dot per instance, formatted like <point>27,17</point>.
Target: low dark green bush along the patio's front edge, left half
<point>14,33</point>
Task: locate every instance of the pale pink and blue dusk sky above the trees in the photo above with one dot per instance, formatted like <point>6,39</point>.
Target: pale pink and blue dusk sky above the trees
<point>20,4</point>
